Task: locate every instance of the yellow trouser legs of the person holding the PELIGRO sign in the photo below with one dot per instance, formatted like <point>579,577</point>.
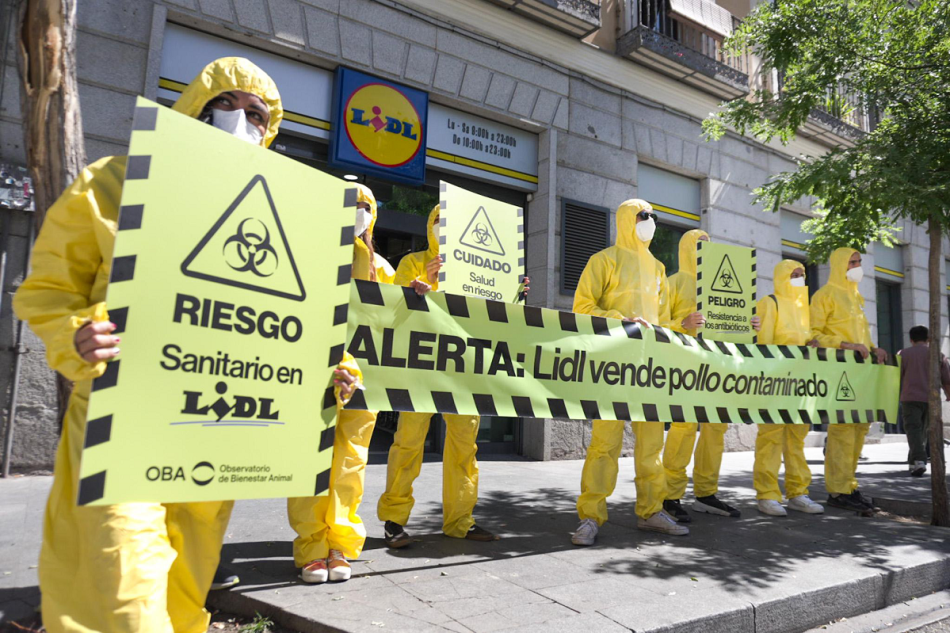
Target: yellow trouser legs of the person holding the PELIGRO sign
<point>679,450</point>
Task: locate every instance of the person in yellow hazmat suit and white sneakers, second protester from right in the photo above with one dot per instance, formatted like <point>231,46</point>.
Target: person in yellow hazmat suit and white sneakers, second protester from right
<point>784,322</point>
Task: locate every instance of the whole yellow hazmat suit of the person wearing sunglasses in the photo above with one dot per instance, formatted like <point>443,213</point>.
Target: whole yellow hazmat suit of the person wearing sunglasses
<point>623,281</point>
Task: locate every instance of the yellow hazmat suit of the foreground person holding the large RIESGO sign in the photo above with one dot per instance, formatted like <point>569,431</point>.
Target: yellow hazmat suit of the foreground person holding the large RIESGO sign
<point>135,566</point>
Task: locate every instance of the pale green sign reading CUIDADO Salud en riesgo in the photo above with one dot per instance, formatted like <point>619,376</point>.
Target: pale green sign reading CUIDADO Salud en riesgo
<point>482,243</point>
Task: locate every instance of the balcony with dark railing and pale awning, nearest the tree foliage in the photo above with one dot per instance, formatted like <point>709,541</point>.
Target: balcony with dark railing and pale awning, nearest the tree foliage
<point>688,47</point>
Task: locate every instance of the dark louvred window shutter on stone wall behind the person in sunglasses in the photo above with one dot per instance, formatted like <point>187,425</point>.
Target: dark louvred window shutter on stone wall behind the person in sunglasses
<point>585,230</point>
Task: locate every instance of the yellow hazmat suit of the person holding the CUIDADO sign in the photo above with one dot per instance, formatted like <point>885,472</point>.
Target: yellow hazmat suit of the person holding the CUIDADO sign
<point>459,466</point>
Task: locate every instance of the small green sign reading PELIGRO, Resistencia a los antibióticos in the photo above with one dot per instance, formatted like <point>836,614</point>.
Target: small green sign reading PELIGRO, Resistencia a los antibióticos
<point>725,291</point>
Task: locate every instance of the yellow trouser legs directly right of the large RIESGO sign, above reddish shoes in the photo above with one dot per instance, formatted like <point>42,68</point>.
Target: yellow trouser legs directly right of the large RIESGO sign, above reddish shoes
<point>331,521</point>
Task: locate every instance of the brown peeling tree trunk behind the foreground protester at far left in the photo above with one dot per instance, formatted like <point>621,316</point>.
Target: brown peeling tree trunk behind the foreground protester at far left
<point>49,103</point>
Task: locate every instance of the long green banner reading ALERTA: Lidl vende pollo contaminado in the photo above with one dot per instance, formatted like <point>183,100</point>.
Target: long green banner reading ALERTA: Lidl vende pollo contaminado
<point>453,354</point>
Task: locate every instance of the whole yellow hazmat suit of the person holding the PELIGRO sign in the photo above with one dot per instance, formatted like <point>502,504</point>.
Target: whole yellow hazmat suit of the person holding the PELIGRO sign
<point>682,436</point>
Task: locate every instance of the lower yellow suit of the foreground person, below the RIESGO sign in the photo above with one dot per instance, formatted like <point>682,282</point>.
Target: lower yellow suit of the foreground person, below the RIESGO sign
<point>131,567</point>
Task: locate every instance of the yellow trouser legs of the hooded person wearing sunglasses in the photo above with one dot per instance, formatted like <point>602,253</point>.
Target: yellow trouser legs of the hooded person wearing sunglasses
<point>599,477</point>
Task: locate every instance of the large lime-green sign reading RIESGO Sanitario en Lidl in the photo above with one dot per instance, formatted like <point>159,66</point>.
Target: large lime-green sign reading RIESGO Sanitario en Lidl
<point>229,285</point>
